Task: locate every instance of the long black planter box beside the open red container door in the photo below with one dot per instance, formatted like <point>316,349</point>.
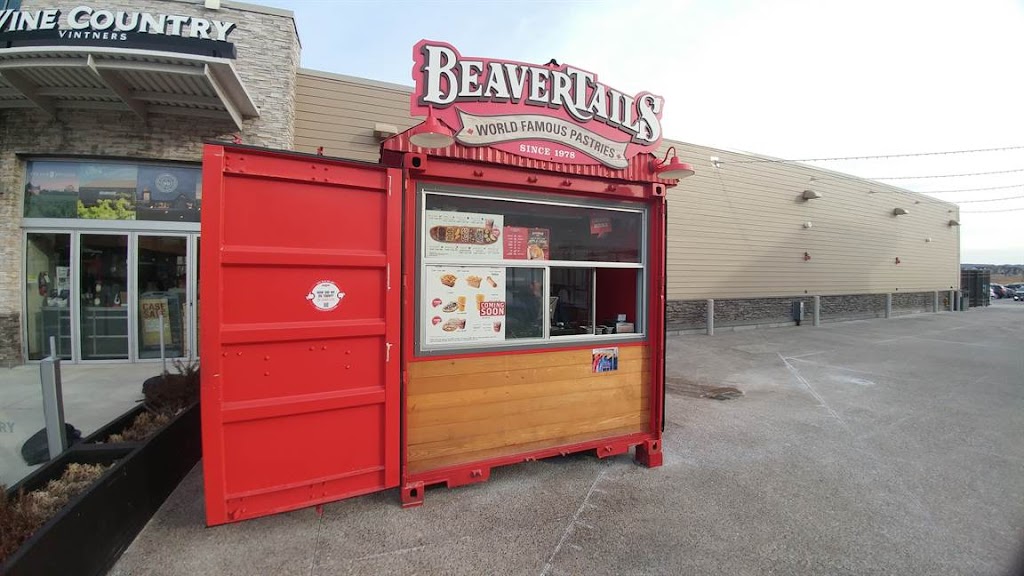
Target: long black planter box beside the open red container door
<point>89,536</point>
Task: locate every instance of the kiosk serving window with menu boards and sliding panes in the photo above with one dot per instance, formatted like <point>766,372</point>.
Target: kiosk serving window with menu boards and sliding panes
<point>499,272</point>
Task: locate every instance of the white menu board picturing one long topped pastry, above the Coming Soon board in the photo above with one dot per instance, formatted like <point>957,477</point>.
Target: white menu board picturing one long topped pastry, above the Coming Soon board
<point>463,235</point>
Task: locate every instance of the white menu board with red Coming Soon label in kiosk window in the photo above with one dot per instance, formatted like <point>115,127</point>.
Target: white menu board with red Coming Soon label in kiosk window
<point>463,305</point>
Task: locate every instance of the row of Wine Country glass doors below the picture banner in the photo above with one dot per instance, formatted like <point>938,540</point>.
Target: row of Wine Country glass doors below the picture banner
<point>102,296</point>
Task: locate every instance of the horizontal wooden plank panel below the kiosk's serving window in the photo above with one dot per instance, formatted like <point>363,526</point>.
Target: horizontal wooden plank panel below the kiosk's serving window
<point>465,410</point>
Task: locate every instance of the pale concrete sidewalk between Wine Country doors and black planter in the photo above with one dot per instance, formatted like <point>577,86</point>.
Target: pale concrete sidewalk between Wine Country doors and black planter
<point>94,394</point>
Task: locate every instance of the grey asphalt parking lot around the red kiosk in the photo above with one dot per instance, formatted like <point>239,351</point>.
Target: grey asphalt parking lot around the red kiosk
<point>871,447</point>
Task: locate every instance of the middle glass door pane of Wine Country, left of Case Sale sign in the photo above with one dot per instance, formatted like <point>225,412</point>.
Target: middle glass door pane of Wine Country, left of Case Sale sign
<point>104,294</point>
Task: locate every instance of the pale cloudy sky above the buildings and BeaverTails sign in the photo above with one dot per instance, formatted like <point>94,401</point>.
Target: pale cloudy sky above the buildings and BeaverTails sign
<point>786,78</point>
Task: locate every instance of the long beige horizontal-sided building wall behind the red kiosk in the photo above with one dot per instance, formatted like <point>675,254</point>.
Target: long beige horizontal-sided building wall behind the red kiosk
<point>737,231</point>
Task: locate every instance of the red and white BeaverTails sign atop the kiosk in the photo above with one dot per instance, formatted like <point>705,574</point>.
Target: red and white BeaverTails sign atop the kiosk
<point>552,112</point>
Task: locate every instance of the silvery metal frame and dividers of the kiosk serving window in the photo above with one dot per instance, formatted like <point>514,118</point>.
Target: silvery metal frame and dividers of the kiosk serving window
<point>546,342</point>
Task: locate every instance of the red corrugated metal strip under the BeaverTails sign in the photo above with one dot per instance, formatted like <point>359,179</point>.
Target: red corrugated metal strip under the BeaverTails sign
<point>638,171</point>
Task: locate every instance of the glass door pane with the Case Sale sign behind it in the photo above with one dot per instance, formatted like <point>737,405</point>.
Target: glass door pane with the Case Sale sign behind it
<point>163,296</point>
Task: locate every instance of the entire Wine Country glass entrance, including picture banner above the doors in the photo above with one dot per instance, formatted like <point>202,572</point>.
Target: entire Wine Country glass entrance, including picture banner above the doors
<point>137,265</point>
